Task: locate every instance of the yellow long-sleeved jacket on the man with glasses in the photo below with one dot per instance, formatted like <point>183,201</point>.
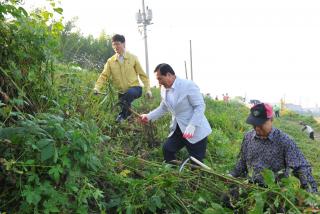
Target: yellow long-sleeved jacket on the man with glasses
<point>124,75</point>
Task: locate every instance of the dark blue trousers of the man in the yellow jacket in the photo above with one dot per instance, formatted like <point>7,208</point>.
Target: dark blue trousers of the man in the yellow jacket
<point>127,98</point>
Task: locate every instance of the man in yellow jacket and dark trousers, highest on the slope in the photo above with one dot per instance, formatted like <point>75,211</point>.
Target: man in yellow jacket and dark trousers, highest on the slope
<point>124,70</point>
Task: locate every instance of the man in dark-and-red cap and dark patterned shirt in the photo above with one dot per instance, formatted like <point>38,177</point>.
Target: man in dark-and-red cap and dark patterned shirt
<point>269,147</point>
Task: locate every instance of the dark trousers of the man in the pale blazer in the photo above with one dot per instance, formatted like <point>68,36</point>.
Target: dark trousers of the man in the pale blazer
<point>177,142</point>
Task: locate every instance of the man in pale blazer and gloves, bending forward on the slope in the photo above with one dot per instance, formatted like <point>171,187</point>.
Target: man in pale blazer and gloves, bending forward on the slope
<point>189,127</point>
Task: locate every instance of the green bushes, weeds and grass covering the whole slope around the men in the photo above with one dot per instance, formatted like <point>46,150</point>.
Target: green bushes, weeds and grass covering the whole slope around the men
<point>62,152</point>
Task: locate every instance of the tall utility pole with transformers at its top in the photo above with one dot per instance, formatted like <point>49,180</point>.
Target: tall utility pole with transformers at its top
<point>143,20</point>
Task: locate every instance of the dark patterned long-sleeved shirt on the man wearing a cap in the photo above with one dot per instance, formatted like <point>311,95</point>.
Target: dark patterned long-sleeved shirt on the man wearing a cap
<point>277,152</point>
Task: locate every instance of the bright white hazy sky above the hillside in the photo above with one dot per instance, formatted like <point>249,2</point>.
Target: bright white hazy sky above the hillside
<point>264,50</point>
